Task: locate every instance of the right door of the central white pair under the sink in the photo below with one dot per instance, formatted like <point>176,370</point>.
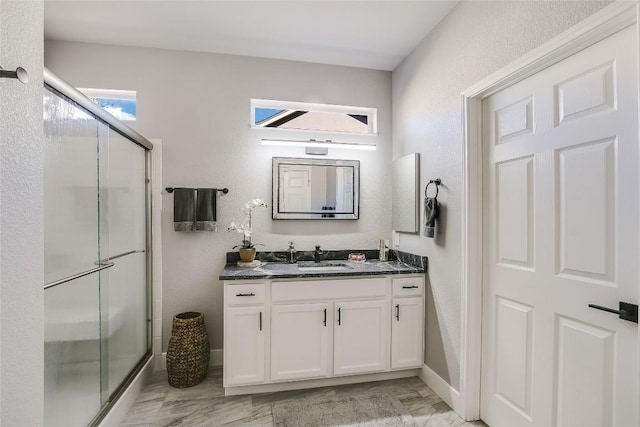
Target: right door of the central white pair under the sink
<point>361,341</point>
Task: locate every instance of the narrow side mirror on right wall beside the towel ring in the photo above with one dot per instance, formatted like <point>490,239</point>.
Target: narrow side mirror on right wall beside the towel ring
<point>404,194</point>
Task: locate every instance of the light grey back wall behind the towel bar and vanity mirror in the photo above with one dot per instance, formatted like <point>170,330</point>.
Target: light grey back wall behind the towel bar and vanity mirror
<point>198,104</point>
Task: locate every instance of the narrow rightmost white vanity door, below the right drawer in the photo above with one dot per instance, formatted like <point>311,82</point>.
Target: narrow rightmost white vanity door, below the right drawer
<point>407,333</point>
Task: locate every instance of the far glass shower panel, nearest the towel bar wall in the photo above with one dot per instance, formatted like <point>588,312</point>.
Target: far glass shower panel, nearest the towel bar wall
<point>123,296</point>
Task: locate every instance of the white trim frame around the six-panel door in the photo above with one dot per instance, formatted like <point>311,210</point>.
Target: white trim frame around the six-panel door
<point>608,21</point>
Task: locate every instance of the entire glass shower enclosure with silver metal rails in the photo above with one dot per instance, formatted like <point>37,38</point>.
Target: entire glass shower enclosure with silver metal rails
<point>97,256</point>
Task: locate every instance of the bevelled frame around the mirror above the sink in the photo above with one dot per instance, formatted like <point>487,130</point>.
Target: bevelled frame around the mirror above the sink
<point>277,161</point>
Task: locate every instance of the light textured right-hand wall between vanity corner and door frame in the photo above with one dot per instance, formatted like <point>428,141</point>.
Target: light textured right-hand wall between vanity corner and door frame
<point>474,40</point>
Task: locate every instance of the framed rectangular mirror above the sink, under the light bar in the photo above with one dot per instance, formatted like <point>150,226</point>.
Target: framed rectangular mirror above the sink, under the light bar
<point>315,188</point>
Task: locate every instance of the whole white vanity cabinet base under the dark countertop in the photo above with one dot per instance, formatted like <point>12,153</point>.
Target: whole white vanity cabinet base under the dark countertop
<point>318,331</point>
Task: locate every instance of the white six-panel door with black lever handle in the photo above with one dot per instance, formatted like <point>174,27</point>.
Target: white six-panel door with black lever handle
<point>560,230</point>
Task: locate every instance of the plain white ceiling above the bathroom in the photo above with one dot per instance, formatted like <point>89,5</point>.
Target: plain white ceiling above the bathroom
<point>368,34</point>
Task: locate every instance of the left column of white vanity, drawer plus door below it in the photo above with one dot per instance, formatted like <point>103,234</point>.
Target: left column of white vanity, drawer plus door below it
<point>244,334</point>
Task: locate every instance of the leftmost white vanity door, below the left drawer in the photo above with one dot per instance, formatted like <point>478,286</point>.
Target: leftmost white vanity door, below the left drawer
<point>244,345</point>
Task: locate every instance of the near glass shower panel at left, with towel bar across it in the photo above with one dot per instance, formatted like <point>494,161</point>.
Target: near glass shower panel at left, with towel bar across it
<point>72,324</point>
